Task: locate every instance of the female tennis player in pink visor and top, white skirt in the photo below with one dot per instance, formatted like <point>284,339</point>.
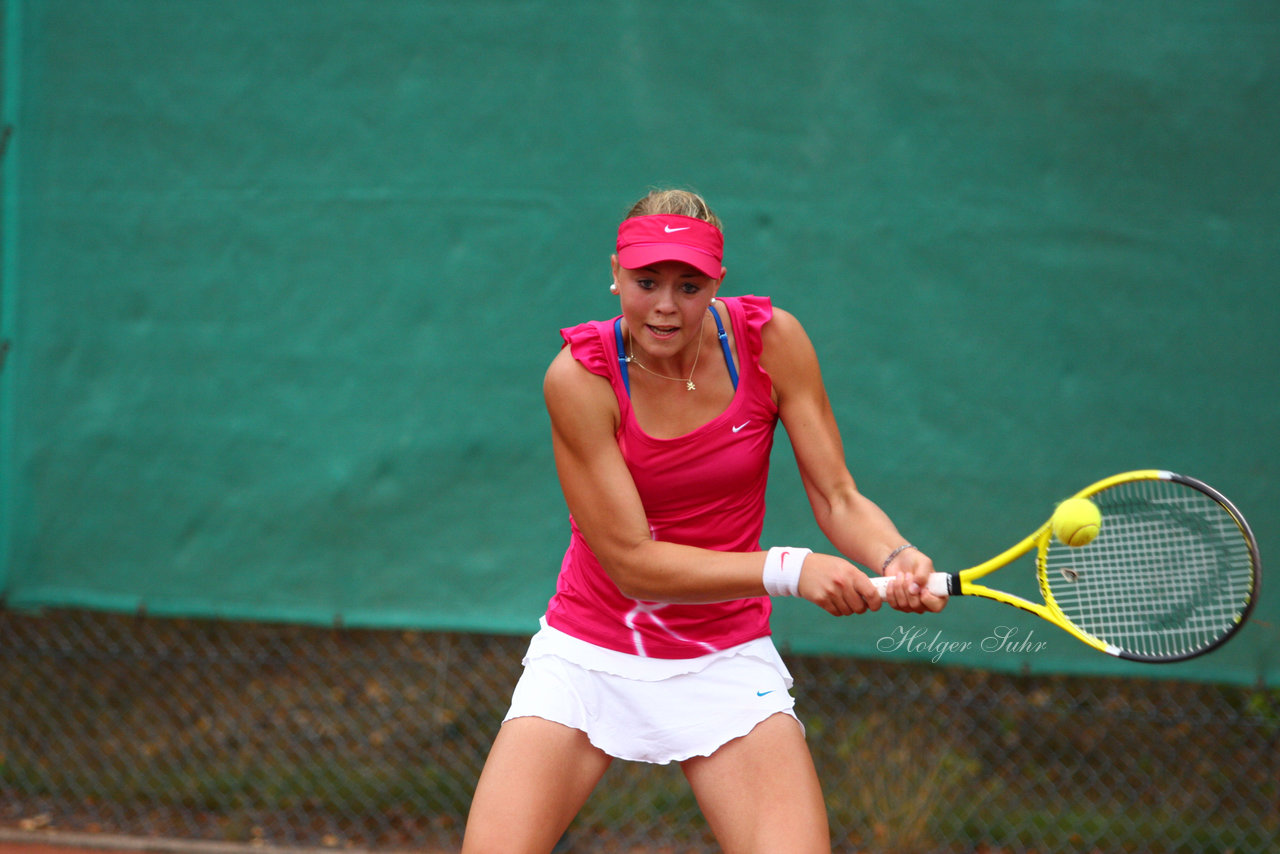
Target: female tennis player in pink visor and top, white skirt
<point>656,645</point>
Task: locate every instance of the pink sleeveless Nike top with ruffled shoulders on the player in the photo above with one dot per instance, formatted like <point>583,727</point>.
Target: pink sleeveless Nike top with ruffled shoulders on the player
<point>705,488</point>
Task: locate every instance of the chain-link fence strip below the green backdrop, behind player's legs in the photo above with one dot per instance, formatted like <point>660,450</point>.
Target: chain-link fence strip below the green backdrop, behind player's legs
<point>304,737</point>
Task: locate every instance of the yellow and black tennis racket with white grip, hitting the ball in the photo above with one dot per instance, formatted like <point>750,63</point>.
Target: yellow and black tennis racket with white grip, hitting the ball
<point>1173,573</point>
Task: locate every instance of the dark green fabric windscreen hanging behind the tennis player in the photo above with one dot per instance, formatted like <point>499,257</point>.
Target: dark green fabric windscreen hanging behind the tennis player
<point>281,280</point>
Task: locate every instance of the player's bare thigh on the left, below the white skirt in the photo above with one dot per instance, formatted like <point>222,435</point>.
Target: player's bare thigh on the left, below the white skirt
<point>534,783</point>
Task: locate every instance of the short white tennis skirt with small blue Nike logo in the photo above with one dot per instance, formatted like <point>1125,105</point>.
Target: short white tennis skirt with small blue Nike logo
<point>652,710</point>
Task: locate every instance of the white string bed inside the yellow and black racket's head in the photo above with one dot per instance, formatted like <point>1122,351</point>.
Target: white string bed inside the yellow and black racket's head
<point>1169,574</point>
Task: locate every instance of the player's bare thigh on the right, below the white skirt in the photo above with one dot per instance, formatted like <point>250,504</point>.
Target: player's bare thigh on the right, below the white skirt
<point>761,793</point>
